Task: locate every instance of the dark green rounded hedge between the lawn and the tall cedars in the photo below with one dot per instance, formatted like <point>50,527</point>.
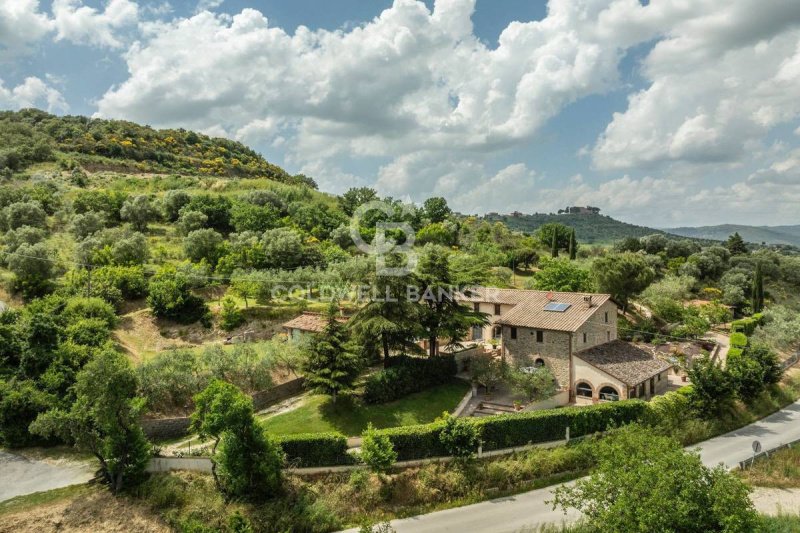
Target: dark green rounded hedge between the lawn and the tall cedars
<point>407,375</point>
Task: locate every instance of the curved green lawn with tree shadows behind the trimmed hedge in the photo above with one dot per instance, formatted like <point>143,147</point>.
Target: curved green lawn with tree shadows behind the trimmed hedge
<point>350,417</point>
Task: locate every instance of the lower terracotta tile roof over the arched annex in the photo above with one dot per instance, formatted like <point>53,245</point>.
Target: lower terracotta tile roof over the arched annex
<point>624,361</point>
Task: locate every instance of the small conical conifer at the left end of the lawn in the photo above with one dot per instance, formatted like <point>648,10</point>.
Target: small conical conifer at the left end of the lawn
<point>331,366</point>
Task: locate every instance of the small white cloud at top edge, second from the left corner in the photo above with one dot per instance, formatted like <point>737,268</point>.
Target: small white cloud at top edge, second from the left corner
<point>81,24</point>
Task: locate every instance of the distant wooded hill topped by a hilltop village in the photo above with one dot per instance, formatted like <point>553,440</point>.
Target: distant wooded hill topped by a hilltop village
<point>591,228</point>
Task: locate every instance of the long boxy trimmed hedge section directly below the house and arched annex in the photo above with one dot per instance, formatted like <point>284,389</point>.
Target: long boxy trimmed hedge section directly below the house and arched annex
<point>506,431</point>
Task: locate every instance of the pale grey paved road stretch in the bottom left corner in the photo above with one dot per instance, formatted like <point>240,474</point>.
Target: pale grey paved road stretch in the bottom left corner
<point>21,475</point>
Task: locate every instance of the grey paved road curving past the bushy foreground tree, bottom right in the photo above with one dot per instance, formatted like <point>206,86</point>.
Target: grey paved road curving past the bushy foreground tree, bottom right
<point>530,510</point>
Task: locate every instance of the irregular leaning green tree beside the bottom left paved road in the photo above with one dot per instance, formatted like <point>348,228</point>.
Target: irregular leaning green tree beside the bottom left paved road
<point>104,419</point>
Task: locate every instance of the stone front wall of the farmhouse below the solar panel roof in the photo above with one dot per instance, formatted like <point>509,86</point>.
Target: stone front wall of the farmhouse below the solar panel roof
<point>554,350</point>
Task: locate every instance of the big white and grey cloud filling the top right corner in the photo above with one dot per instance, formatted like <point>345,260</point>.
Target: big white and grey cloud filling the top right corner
<point>723,77</point>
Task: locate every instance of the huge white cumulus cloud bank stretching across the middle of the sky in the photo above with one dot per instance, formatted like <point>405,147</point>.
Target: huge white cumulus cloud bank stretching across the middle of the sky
<point>408,84</point>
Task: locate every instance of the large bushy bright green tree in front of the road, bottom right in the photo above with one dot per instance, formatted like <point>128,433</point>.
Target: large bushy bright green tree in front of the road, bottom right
<point>645,482</point>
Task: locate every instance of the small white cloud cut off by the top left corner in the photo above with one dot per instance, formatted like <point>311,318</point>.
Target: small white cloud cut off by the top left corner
<point>21,26</point>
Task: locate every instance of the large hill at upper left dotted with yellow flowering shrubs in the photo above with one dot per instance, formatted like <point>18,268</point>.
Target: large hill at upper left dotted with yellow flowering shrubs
<point>32,136</point>
